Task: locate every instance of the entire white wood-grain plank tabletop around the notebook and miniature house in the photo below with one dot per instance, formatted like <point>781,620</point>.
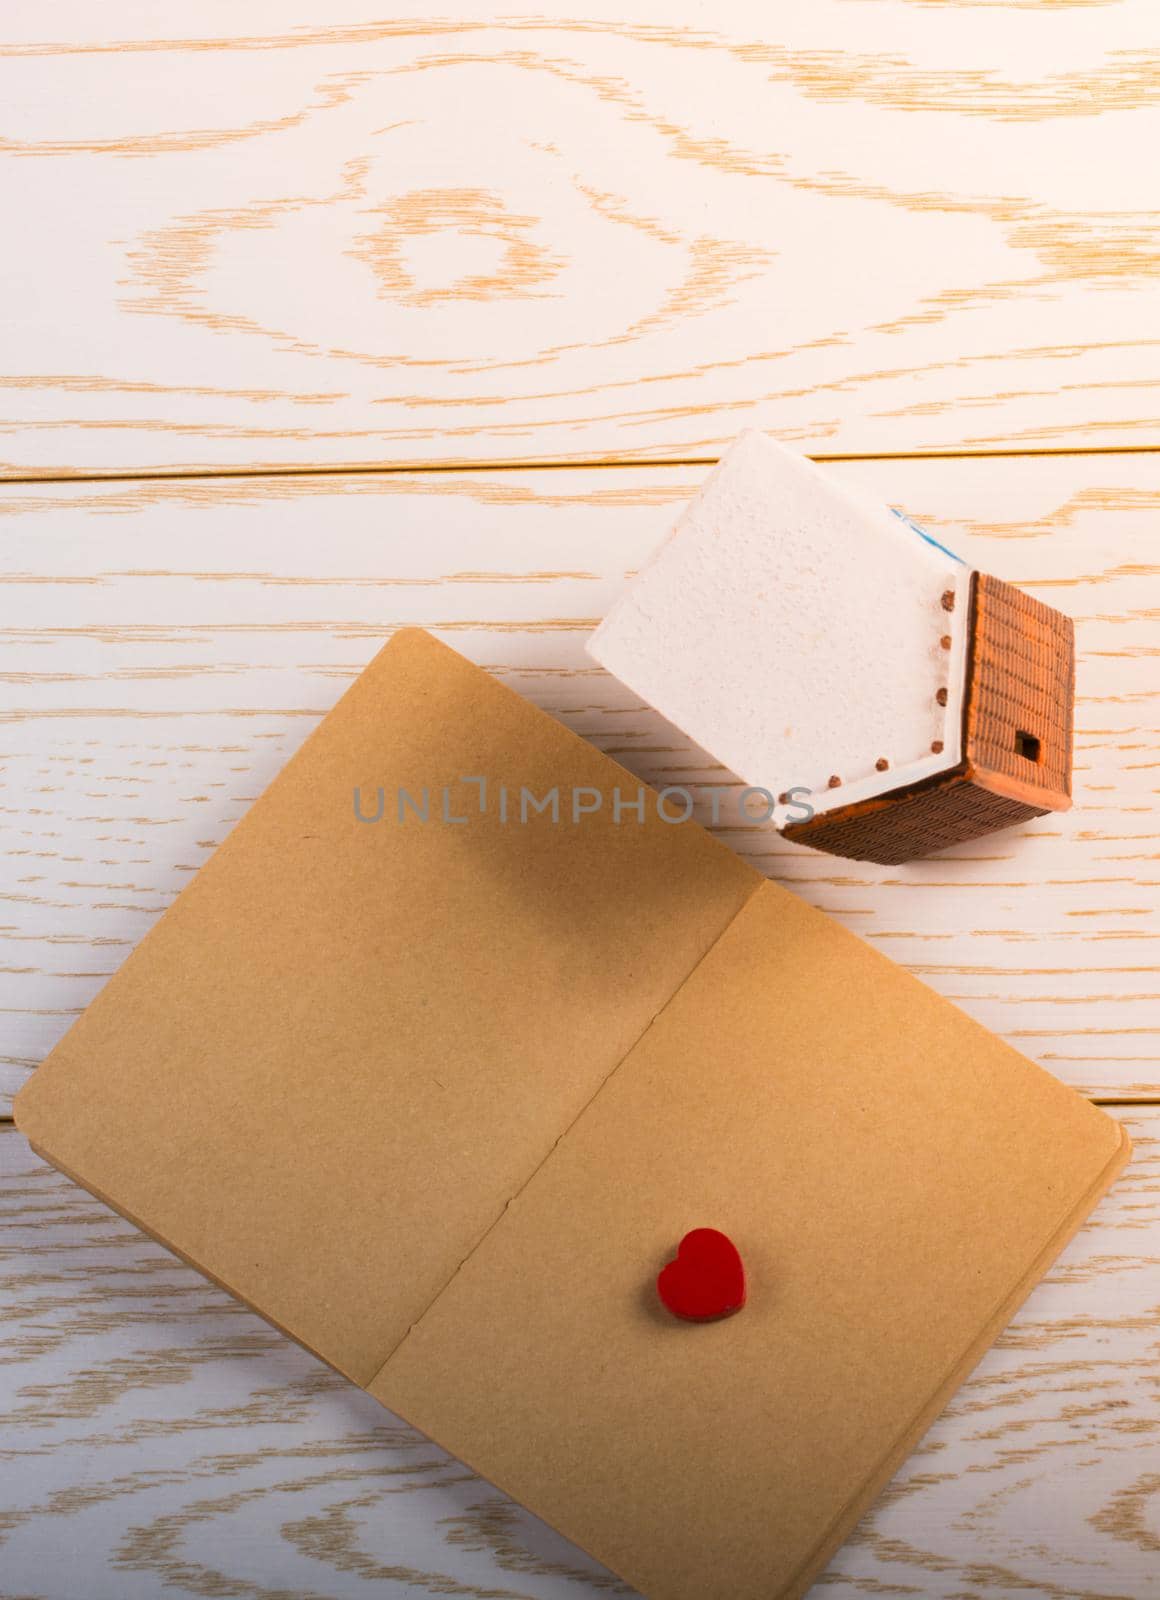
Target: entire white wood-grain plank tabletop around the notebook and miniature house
<point>287,236</point>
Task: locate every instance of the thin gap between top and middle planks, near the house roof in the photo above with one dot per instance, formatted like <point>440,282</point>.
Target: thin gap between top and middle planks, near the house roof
<point>562,465</point>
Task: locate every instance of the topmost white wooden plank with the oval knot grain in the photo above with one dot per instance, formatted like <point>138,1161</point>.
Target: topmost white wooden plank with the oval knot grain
<point>287,233</point>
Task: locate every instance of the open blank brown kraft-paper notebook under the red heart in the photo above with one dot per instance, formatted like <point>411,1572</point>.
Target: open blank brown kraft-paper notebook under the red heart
<point>439,1098</point>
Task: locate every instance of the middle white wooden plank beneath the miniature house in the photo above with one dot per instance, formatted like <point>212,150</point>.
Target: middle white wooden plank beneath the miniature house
<point>166,647</point>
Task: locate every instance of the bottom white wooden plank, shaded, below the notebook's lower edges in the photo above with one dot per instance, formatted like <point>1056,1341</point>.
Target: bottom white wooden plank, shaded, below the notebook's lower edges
<point>158,1436</point>
